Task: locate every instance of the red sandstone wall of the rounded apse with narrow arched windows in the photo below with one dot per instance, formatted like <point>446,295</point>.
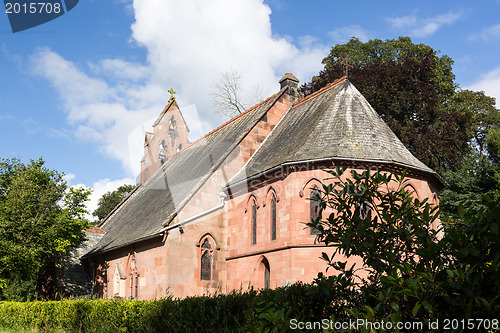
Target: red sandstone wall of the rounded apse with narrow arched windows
<point>293,256</point>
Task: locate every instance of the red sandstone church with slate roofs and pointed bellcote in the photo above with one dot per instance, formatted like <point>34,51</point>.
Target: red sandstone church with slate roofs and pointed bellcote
<point>228,211</point>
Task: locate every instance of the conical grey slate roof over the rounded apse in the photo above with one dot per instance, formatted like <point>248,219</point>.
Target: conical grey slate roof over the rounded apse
<point>336,122</point>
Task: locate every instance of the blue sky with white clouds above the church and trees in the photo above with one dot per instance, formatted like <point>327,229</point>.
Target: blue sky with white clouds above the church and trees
<point>81,90</point>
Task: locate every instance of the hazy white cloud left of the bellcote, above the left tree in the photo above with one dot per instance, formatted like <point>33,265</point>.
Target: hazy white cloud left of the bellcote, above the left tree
<point>99,112</point>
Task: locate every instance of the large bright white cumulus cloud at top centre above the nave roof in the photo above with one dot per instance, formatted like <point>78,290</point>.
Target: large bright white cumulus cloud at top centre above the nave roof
<point>190,43</point>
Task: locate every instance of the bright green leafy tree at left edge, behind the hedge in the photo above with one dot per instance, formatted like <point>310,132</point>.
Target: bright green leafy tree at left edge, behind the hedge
<point>40,218</point>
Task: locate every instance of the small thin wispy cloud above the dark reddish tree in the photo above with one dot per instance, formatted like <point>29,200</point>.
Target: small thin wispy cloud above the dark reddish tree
<point>423,27</point>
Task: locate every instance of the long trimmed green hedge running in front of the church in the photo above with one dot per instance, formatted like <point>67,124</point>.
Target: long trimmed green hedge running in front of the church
<point>248,312</point>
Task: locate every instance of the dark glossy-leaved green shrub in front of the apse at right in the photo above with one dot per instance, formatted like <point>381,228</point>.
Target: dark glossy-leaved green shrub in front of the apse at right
<point>412,269</point>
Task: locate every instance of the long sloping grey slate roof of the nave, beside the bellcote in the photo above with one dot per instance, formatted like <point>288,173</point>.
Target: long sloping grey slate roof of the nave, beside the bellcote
<point>153,205</point>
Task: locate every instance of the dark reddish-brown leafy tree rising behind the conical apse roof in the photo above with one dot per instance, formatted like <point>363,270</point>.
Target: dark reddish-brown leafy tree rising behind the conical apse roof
<point>408,85</point>
